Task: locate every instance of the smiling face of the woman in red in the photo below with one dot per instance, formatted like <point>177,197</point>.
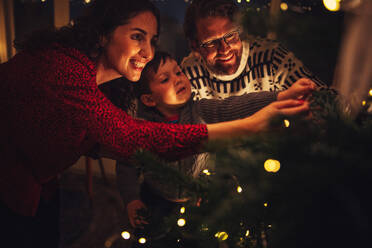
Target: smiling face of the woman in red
<point>128,49</point>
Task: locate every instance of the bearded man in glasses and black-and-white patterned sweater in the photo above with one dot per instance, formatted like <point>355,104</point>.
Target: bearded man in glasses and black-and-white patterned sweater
<point>221,64</point>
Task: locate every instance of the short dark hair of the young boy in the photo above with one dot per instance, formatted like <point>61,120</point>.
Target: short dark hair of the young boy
<point>142,86</point>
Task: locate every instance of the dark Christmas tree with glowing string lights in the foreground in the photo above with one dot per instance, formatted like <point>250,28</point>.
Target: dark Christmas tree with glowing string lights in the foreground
<point>306,183</point>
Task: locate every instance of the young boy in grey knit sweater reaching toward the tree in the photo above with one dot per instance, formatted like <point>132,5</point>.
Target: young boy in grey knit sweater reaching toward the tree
<point>164,94</point>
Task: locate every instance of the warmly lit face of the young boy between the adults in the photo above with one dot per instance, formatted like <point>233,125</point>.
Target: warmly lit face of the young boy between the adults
<point>170,88</point>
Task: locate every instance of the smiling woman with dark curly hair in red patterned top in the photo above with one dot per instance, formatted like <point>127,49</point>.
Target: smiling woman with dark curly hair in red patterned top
<point>53,111</point>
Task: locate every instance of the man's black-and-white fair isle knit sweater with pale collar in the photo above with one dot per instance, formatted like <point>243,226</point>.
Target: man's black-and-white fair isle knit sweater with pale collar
<point>267,66</point>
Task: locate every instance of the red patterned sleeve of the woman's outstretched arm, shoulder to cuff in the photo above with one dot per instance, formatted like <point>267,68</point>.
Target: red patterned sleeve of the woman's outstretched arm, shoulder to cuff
<point>113,128</point>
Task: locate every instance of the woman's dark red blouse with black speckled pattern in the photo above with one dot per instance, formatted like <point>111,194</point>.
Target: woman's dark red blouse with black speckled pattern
<point>53,113</point>
